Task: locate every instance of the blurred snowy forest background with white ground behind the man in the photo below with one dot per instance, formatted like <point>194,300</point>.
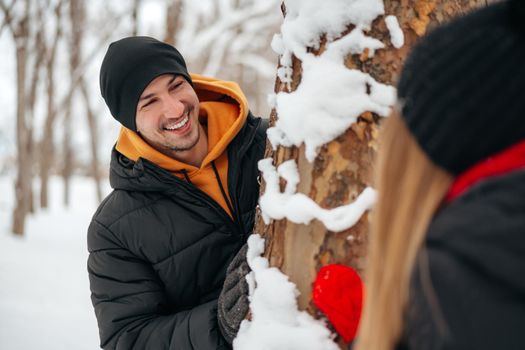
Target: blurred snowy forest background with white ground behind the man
<point>56,135</point>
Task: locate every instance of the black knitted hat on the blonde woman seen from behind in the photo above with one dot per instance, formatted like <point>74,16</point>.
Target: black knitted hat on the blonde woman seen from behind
<point>462,89</point>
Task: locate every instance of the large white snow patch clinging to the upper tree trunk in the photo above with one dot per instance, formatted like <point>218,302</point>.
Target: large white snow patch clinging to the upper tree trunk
<point>330,97</point>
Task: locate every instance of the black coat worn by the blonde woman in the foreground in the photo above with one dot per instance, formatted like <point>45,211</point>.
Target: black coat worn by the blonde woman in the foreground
<point>468,289</point>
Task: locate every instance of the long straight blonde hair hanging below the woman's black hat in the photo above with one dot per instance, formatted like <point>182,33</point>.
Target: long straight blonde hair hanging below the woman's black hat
<point>410,189</point>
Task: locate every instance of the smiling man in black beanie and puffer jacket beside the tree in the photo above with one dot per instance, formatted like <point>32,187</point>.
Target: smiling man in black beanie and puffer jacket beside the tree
<point>184,178</point>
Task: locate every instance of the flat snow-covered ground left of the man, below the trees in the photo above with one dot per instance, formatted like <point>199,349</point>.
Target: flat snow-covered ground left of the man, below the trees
<point>44,288</point>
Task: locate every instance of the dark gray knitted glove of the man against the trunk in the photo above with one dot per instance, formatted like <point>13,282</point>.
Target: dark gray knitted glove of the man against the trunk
<point>233,303</point>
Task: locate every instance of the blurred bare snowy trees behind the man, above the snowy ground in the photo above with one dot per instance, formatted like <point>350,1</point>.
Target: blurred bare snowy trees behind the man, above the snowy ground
<point>54,121</point>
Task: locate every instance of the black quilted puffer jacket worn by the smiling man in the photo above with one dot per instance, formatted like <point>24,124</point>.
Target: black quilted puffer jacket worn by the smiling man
<point>159,248</point>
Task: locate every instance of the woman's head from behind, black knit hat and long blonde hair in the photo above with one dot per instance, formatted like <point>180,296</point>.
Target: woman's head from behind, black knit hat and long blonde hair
<point>461,100</point>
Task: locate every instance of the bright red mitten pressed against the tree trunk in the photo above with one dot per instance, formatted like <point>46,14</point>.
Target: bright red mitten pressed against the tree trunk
<point>338,293</point>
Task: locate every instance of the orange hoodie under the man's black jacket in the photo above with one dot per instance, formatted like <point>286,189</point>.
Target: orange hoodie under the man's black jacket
<point>223,107</point>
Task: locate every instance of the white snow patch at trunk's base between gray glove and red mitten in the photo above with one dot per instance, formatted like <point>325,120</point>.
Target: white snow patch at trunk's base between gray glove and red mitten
<point>276,322</point>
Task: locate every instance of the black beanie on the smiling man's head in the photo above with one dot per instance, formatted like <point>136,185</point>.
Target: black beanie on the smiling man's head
<point>129,66</point>
